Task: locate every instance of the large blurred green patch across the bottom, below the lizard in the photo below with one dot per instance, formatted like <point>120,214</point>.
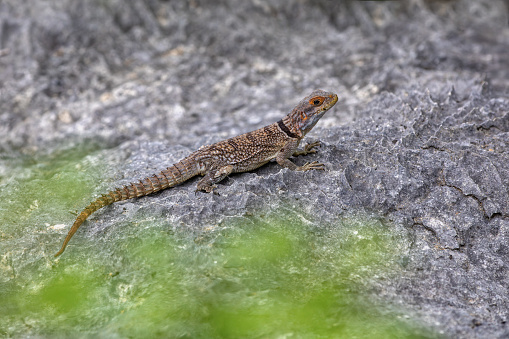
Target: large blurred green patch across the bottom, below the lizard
<point>264,278</point>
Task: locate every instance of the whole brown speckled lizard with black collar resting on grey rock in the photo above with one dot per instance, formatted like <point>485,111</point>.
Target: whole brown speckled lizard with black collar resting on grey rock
<point>242,153</point>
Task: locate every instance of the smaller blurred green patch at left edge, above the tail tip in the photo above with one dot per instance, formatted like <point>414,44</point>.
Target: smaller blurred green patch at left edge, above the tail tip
<point>33,189</point>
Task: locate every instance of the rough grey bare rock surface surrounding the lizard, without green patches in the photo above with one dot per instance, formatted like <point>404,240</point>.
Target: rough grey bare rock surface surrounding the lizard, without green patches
<point>420,136</point>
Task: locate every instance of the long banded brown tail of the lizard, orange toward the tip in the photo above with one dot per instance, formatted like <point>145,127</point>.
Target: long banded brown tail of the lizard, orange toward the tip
<point>170,177</point>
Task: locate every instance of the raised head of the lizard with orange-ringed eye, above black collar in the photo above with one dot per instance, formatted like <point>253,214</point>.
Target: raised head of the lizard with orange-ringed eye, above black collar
<point>307,113</point>
